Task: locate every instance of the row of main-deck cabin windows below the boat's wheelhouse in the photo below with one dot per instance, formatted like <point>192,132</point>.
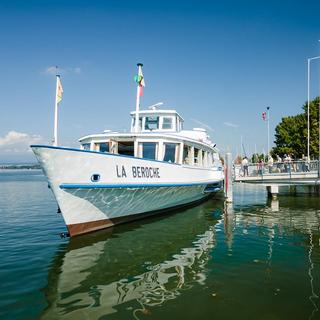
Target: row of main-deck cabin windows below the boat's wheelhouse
<point>151,150</point>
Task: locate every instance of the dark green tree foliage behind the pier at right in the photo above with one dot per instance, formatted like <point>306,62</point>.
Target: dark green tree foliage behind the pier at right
<point>291,133</point>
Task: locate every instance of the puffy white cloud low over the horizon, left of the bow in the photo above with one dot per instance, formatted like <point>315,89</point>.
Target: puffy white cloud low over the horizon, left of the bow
<point>18,142</point>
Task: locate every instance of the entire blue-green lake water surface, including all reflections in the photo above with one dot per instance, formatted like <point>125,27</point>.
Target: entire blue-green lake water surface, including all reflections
<point>254,259</point>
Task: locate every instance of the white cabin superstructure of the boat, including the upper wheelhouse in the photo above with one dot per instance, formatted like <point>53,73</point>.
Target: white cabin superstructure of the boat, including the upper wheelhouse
<point>160,136</point>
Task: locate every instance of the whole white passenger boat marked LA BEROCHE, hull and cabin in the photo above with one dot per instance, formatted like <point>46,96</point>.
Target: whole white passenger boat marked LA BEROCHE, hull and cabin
<point>117,177</point>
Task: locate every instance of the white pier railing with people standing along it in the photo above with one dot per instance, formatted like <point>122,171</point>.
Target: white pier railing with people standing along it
<point>284,169</point>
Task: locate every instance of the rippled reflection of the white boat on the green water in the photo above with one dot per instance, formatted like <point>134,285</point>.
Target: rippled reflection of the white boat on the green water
<point>133,267</point>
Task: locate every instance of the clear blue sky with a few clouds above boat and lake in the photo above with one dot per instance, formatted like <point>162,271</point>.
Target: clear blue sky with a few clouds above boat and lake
<point>220,64</point>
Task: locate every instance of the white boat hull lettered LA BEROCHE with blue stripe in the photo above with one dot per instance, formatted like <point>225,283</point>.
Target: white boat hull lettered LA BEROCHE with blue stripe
<point>97,190</point>
